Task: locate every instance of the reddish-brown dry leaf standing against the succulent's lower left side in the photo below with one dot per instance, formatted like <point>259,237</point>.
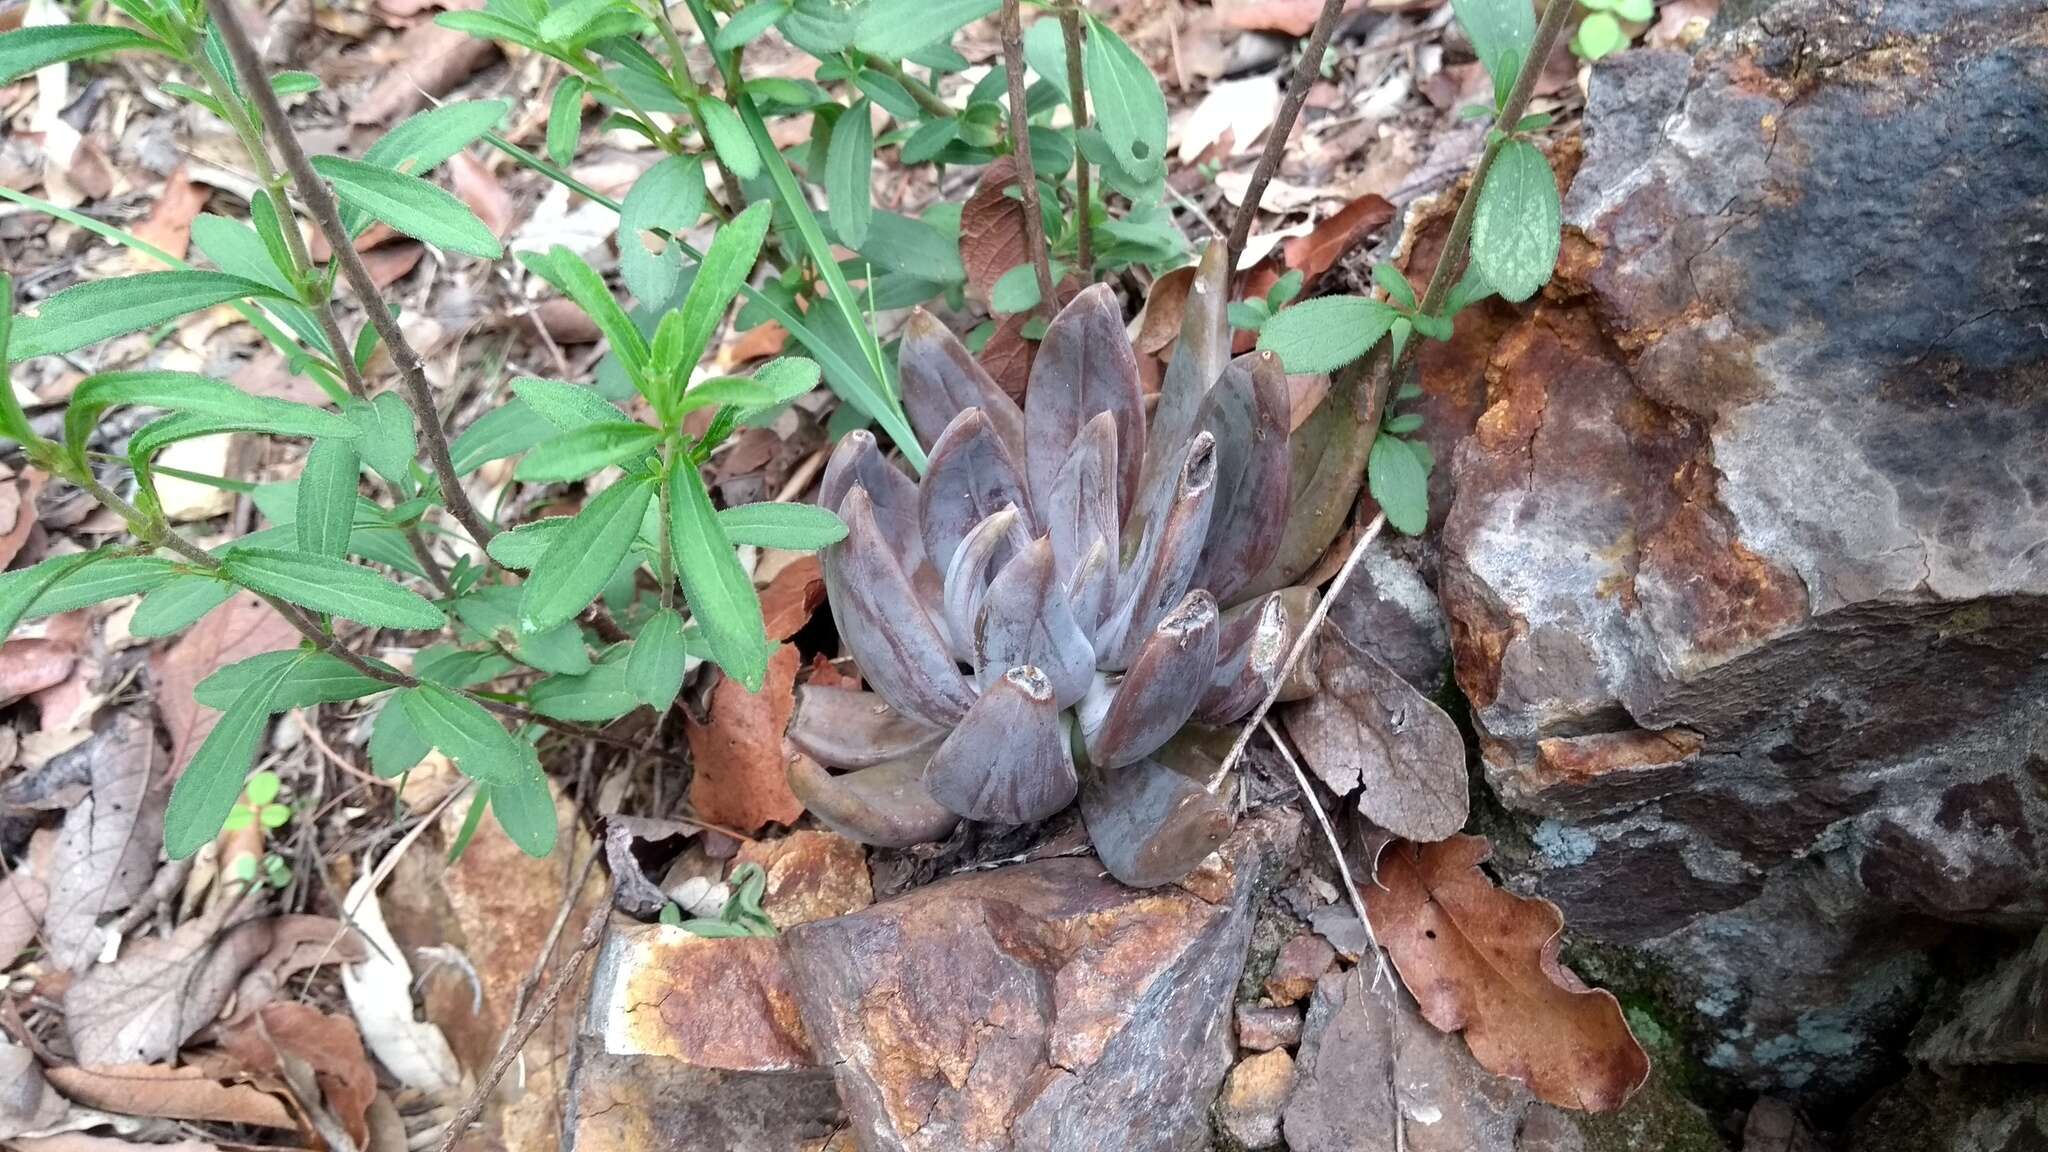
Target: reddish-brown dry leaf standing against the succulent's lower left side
<point>738,753</point>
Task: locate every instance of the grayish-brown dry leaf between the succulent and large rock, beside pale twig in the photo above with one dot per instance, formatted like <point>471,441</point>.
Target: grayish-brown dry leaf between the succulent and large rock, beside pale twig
<point>1369,729</point>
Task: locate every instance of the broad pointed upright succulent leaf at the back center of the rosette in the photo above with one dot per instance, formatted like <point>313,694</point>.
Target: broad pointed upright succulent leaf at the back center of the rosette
<point>1084,366</point>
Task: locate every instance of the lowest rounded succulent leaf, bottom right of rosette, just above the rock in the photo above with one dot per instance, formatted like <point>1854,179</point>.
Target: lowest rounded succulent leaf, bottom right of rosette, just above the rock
<point>1150,823</point>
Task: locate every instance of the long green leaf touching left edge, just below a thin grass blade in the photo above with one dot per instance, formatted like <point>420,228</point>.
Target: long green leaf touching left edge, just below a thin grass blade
<point>99,311</point>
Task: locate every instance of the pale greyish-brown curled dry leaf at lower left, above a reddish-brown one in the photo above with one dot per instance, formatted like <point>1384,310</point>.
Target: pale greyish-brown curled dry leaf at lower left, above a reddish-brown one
<point>142,1007</point>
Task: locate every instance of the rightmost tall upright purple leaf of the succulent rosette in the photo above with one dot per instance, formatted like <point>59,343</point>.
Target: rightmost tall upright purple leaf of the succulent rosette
<point>1248,415</point>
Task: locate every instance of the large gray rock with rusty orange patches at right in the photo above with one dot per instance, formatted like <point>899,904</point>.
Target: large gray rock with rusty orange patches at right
<point>1746,561</point>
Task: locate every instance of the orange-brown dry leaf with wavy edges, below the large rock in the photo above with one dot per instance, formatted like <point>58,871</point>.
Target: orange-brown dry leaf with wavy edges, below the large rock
<point>1484,962</point>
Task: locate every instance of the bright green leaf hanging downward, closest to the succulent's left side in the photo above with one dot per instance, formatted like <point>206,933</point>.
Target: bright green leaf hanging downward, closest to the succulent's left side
<point>714,583</point>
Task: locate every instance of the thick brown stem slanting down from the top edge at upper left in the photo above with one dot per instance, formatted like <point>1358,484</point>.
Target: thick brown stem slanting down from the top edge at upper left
<point>321,202</point>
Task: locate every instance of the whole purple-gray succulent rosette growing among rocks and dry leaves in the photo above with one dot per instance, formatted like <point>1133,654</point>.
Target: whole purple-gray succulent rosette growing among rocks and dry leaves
<point>1043,614</point>
